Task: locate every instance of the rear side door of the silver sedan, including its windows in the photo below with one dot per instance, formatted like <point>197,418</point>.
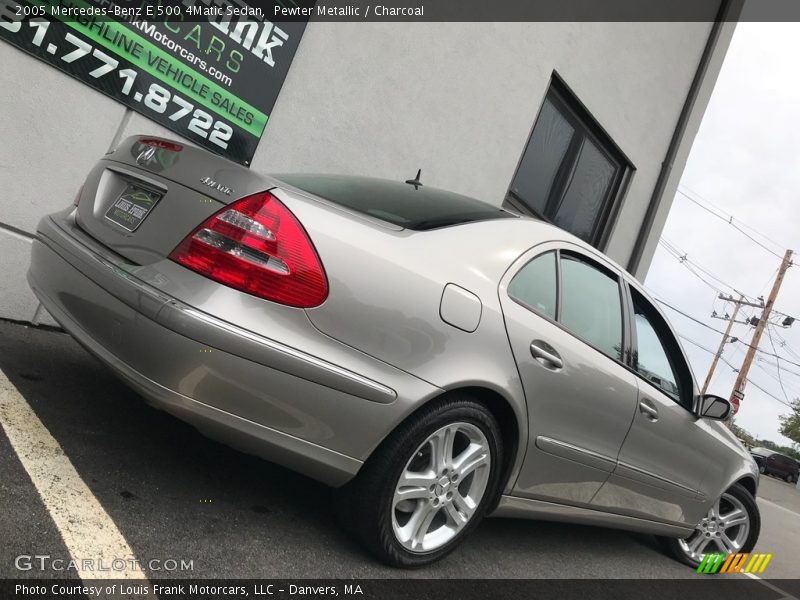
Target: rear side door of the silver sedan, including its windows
<point>566,324</point>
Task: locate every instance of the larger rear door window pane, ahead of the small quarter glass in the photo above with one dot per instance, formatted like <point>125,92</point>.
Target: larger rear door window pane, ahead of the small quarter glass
<point>591,306</point>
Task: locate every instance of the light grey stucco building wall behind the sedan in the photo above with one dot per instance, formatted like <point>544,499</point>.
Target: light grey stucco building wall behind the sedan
<point>382,99</point>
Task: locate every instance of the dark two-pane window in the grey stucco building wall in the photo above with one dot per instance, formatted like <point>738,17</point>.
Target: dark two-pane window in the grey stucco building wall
<point>571,172</point>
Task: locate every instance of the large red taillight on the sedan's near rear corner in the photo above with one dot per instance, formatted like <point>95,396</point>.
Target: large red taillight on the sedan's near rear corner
<point>256,245</point>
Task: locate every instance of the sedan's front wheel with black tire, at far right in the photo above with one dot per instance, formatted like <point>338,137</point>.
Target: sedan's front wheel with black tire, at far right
<point>736,497</point>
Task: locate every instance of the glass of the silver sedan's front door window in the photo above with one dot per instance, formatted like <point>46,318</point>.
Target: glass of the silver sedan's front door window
<point>652,358</point>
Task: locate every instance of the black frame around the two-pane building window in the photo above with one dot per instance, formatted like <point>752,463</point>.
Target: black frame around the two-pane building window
<point>567,103</point>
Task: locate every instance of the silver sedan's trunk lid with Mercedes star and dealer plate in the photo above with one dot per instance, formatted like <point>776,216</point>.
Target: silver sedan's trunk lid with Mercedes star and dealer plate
<point>145,197</point>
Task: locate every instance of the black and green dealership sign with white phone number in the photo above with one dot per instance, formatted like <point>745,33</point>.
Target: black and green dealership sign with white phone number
<point>210,70</point>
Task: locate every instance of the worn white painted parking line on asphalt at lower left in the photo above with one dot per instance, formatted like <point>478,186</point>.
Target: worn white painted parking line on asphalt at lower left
<point>91,537</point>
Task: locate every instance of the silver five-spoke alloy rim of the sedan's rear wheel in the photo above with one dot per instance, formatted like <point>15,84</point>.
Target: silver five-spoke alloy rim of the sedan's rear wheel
<point>441,487</point>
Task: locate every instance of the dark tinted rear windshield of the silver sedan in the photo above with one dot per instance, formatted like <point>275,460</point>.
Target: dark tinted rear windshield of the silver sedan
<point>396,202</point>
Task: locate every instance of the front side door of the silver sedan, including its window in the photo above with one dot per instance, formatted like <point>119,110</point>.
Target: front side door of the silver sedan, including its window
<point>668,451</point>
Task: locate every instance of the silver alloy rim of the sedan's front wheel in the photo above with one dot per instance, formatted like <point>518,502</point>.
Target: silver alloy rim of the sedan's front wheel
<point>724,529</point>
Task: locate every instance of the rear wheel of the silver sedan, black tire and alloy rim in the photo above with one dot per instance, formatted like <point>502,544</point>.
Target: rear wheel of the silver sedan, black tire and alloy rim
<point>375,504</point>
